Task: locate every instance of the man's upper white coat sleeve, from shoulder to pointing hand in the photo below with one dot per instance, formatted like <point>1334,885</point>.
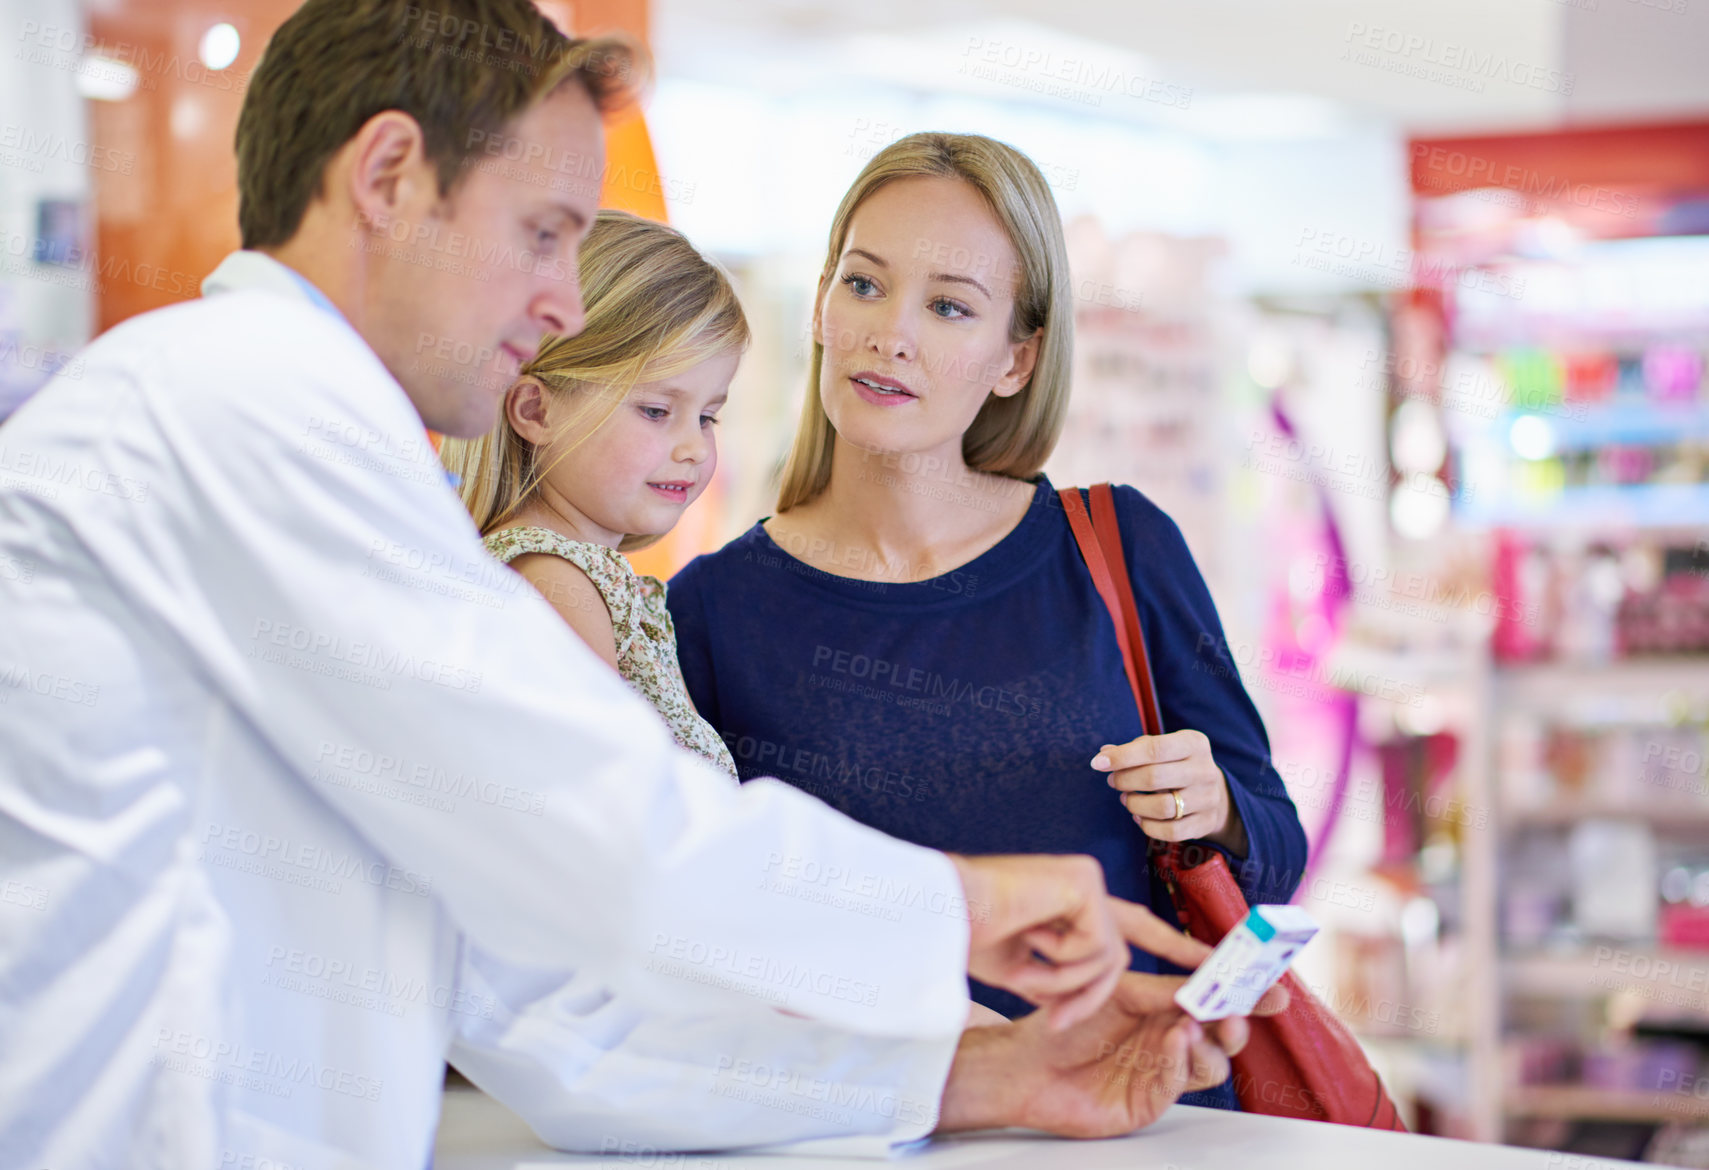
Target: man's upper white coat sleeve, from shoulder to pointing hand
<point>307,551</point>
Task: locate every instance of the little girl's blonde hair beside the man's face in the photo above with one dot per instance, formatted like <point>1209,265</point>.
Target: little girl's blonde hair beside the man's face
<point>655,308</point>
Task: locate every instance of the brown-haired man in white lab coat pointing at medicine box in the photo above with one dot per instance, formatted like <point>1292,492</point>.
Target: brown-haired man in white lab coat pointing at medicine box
<point>302,793</point>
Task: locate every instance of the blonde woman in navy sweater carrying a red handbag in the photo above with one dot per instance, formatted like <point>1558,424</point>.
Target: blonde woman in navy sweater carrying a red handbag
<point>913,638</point>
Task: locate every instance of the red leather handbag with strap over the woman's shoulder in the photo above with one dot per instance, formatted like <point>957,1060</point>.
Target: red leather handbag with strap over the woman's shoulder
<point>1301,1063</point>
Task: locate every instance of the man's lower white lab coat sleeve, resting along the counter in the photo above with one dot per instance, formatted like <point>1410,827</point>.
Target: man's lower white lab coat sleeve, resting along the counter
<point>589,1072</point>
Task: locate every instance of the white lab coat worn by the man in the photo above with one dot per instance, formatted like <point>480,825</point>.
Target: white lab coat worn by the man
<point>302,793</point>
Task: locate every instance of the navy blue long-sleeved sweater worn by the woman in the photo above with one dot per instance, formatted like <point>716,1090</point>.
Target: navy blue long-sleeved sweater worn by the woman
<point>963,711</point>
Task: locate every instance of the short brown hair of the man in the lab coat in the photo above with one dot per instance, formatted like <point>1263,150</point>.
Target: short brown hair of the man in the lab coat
<point>462,69</point>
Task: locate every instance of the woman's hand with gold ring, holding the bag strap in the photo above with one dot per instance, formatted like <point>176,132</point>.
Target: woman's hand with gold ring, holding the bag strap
<point>1173,788</point>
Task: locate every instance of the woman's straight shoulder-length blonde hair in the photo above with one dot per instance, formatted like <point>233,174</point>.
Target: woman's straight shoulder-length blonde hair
<point>1011,436</point>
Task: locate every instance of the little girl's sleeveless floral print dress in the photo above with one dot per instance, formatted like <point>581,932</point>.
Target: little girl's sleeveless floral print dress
<point>647,641</point>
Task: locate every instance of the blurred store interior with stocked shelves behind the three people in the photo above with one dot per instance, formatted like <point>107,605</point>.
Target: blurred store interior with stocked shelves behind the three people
<point>1401,310</point>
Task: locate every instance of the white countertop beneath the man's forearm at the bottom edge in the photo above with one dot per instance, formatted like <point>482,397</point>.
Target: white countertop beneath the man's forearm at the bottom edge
<point>476,1133</point>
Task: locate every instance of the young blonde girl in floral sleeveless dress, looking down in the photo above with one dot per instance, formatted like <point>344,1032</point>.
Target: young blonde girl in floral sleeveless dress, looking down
<point>604,442</point>
